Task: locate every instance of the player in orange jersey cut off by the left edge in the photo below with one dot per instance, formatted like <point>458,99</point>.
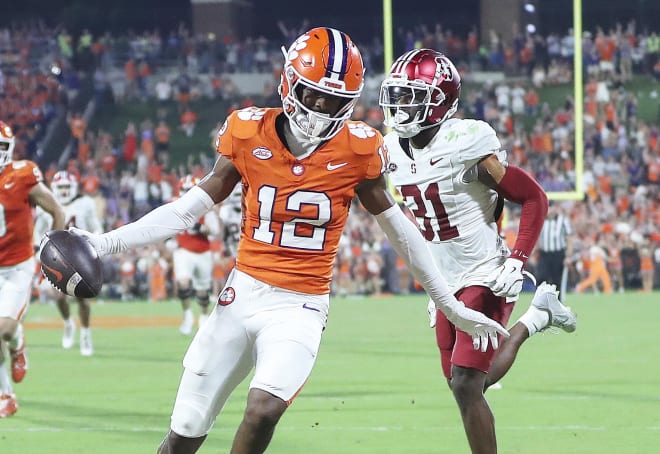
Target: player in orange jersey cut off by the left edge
<point>21,189</point>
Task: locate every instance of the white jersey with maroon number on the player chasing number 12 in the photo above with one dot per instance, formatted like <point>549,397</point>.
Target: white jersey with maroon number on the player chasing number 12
<point>454,210</point>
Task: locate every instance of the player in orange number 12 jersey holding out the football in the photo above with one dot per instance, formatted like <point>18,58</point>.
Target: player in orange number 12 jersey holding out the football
<point>301,167</point>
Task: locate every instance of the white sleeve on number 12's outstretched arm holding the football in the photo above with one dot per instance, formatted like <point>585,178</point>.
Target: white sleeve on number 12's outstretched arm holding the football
<point>159,224</point>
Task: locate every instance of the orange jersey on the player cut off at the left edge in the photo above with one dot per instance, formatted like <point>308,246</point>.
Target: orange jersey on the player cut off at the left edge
<point>16,217</point>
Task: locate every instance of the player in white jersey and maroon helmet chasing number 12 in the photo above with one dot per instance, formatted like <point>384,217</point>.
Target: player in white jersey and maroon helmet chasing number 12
<point>454,177</point>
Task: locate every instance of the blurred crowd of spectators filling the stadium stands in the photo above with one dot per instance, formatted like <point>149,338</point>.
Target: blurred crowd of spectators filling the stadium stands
<point>131,173</point>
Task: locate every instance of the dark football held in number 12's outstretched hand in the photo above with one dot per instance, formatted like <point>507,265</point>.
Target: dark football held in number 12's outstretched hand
<point>71,264</point>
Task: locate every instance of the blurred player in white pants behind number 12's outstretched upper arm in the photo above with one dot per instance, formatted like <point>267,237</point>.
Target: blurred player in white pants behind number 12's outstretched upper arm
<point>193,262</point>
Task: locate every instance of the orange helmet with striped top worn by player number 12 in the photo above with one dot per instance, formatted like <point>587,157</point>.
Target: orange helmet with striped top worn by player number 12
<point>327,61</point>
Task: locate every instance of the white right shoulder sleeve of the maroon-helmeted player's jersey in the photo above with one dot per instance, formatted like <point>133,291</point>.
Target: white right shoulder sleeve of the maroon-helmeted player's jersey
<point>476,140</point>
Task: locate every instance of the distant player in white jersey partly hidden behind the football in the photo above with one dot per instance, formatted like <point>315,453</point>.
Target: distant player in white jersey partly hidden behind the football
<point>81,213</point>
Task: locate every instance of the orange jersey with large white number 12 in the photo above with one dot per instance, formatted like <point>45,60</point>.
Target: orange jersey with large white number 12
<point>295,209</point>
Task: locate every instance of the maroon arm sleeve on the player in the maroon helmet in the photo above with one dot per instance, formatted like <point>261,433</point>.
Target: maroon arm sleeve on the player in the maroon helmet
<point>519,187</point>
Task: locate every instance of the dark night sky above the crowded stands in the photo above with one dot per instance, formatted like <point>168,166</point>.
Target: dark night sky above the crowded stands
<point>361,19</point>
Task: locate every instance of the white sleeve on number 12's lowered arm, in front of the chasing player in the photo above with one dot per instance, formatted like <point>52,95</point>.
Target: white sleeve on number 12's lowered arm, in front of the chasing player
<point>409,243</point>
